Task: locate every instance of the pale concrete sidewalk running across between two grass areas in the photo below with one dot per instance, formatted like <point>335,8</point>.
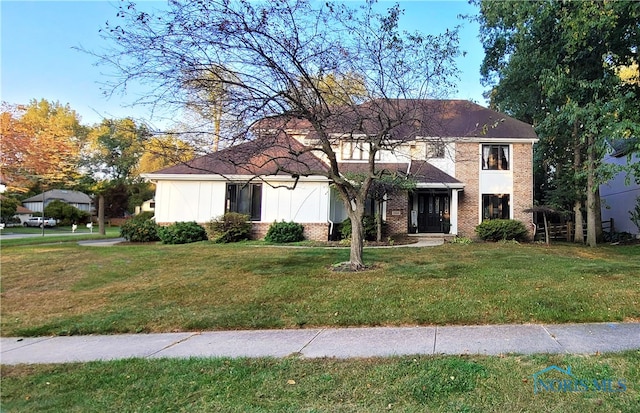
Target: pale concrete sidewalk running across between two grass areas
<point>329,342</point>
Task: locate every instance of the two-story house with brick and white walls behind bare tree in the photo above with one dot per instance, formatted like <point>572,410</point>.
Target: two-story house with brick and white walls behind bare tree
<point>471,164</point>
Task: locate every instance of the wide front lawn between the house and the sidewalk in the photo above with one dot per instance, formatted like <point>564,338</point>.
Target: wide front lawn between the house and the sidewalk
<point>66,289</point>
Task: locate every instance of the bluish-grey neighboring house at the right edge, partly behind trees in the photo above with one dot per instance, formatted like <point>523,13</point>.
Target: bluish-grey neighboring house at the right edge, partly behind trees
<point>618,198</point>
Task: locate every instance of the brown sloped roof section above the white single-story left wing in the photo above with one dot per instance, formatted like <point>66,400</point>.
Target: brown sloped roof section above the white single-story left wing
<point>266,155</point>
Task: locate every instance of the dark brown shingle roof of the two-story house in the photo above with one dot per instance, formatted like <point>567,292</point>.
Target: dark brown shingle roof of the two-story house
<point>276,152</point>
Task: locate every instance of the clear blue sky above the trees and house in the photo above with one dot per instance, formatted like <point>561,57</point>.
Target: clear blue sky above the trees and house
<point>38,60</point>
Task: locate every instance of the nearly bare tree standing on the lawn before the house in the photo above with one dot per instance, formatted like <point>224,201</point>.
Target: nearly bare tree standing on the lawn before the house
<point>269,56</point>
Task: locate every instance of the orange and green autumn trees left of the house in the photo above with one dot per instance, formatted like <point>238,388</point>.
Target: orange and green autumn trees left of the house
<point>45,146</point>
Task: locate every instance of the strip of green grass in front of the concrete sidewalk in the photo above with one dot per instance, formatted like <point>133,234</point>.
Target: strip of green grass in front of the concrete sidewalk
<point>401,384</point>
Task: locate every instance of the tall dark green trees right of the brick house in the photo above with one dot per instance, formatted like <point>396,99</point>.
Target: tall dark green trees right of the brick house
<point>571,70</point>
